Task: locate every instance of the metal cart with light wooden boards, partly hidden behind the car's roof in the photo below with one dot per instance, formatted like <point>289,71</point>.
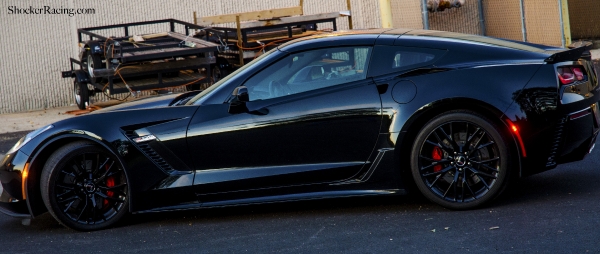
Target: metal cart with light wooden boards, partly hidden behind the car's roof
<point>259,31</point>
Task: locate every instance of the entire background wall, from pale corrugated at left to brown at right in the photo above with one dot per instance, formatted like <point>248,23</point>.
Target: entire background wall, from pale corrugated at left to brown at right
<point>35,48</point>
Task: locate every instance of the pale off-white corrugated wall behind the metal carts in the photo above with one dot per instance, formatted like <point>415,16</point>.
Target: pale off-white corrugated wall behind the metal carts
<point>35,48</point>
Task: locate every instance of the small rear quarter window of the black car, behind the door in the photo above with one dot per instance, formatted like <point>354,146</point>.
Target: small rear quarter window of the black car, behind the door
<point>390,59</point>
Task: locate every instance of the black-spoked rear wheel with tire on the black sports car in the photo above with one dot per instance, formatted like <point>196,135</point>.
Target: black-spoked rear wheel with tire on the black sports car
<point>460,160</point>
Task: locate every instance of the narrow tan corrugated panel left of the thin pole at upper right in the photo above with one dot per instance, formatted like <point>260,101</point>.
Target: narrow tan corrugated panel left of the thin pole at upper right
<point>503,19</point>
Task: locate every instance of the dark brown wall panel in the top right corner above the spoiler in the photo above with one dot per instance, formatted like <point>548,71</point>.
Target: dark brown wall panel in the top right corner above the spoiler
<point>585,19</point>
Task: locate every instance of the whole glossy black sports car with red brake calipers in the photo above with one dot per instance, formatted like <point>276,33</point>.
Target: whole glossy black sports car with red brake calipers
<point>359,113</point>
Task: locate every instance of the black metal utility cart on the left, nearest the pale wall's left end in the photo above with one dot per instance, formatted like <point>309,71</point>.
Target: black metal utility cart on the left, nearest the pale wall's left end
<point>126,63</point>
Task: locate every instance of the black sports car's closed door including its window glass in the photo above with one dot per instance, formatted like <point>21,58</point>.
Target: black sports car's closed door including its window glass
<point>312,117</point>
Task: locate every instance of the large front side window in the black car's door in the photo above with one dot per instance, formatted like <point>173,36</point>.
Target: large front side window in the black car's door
<point>309,70</point>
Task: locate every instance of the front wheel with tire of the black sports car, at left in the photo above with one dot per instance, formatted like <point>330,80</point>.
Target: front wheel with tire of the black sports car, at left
<point>84,187</point>
